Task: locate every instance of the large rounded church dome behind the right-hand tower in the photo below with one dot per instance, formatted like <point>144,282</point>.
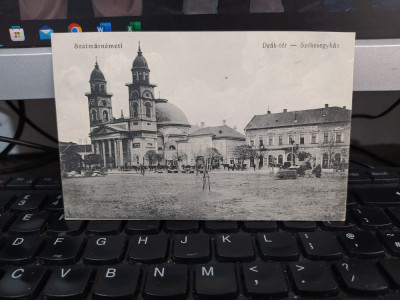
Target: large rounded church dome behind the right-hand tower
<point>170,114</point>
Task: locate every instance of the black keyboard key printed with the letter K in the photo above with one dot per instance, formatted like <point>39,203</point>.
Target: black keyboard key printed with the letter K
<point>234,247</point>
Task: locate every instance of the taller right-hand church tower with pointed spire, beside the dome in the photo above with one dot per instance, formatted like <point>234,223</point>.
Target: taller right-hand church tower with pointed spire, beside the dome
<point>142,108</point>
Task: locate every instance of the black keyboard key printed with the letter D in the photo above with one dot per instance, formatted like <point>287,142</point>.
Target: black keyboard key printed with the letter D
<point>20,250</point>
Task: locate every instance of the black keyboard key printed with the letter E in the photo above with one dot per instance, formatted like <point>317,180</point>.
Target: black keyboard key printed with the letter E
<point>29,223</point>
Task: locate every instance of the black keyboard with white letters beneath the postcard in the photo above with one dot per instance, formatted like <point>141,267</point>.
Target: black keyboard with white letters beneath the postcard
<point>44,256</point>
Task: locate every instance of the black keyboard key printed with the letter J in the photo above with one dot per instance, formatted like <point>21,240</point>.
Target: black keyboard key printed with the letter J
<point>191,248</point>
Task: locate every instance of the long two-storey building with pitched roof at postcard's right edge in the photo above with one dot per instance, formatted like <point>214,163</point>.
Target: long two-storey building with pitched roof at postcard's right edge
<point>323,134</point>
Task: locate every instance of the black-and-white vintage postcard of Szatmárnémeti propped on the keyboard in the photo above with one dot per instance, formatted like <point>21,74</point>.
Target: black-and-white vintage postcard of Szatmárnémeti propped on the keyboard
<point>204,125</point>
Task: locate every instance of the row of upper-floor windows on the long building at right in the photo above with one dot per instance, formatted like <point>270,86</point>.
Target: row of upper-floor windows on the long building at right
<point>292,139</point>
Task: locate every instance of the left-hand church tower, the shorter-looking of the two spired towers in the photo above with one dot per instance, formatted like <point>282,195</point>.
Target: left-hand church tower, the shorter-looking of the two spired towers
<point>100,108</point>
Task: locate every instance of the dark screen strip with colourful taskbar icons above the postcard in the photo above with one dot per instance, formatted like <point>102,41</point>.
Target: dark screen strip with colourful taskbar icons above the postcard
<point>29,23</point>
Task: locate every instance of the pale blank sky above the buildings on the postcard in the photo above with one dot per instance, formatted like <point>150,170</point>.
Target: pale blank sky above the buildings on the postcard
<point>210,76</point>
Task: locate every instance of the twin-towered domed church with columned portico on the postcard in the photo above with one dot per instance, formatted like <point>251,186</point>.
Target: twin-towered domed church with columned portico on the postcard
<point>153,124</point>
